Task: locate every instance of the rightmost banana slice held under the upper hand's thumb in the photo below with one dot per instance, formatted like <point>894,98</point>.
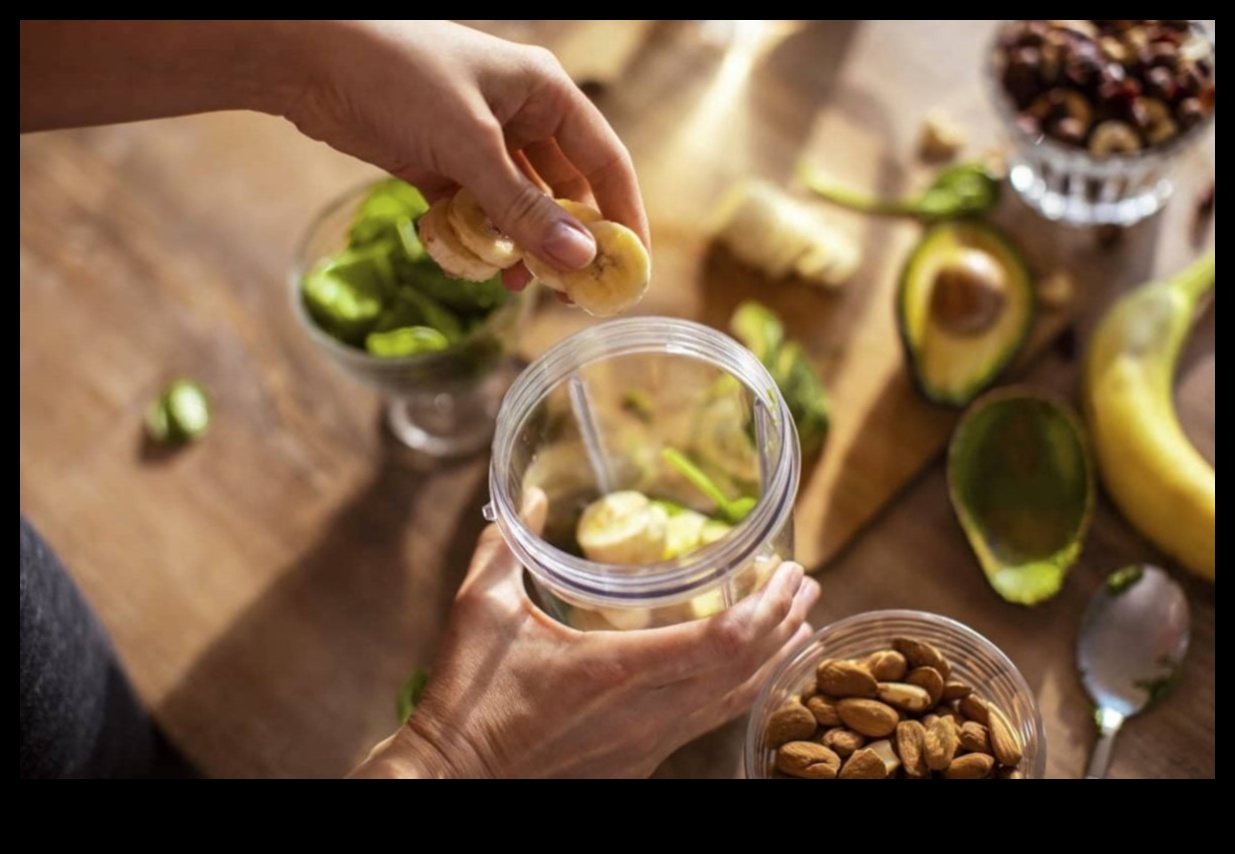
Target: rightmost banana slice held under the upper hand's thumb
<point>616,280</point>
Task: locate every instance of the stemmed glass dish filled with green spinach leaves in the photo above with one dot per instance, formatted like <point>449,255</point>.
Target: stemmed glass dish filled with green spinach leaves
<point>371,298</point>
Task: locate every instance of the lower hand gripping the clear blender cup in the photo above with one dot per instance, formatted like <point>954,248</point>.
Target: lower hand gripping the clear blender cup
<point>517,695</point>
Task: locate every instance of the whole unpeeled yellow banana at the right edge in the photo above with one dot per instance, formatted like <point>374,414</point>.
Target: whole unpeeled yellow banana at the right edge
<point>1148,464</point>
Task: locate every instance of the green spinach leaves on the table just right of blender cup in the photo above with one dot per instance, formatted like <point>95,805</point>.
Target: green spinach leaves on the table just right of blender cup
<point>763,333</point>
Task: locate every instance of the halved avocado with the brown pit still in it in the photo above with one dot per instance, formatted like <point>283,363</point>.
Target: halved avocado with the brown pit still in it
<point>964,307</point>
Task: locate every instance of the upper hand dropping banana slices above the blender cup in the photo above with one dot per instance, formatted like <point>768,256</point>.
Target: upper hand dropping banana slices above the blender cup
<point>442,106</point>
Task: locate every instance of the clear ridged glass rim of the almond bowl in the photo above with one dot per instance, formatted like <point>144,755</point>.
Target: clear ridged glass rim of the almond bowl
<point>891,622</point>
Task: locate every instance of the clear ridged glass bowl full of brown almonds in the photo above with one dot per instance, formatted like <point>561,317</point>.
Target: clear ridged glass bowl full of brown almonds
<point>896,694</point>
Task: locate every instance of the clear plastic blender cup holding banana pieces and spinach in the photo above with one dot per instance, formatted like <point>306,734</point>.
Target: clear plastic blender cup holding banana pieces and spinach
<point>595,416</point>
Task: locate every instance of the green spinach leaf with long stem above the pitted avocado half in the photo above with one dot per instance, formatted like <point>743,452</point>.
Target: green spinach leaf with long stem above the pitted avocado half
<point>965,190</point>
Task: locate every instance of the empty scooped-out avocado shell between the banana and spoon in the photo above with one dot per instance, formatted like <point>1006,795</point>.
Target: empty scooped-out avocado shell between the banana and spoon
<point>1022,484</point>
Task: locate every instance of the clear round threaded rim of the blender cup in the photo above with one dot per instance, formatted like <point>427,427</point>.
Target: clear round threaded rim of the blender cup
<point>601,584</point>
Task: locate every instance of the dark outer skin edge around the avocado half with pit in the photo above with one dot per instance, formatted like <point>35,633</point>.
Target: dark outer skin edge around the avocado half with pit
<point>944,237</point>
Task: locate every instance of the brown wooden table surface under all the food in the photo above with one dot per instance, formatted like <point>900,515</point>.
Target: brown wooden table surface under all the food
<point>271,588</point>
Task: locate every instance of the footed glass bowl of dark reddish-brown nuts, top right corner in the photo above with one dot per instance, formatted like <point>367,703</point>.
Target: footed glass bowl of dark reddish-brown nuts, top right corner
<point>1101,112</point>
